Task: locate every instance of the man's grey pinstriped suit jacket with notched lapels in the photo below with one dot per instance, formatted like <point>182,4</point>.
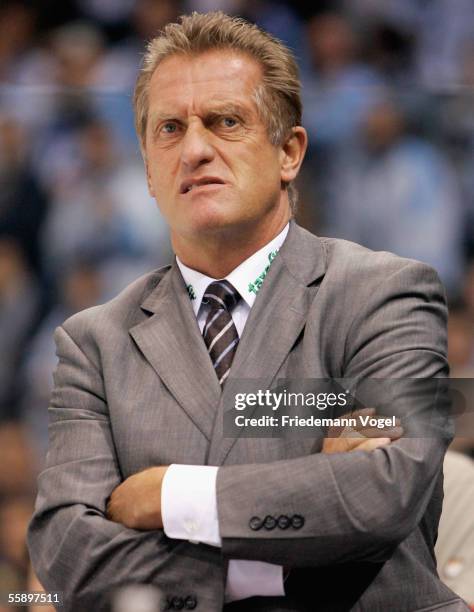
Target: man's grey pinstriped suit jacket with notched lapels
<point>135,388</point>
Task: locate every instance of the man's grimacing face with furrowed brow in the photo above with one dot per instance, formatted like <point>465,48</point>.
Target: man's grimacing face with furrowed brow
<point>204,132</point>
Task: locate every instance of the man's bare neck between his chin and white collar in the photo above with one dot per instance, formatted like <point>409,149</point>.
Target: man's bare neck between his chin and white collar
<point>222,252</point>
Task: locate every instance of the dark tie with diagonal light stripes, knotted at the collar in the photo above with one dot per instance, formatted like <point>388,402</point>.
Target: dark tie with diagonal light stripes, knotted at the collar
<point>220,334</point>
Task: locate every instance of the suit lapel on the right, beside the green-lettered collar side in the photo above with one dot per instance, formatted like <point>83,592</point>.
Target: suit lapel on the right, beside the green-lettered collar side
<point>276,319</point>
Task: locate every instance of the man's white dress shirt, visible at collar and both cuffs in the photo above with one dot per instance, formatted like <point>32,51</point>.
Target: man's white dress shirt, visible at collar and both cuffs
<point>188,496</point>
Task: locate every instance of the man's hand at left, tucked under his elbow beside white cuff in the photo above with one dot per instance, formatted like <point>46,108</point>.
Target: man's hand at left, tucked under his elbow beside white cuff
<point>136,503</point>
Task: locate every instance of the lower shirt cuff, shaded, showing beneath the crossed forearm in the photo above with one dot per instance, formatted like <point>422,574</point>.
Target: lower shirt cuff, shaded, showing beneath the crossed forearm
<point>253,578</point>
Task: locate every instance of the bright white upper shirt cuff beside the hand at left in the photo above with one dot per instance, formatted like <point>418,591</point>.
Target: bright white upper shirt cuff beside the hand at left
<point>189,505</point>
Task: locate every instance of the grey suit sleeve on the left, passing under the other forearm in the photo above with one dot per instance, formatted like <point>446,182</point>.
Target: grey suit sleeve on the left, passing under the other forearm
<point>73,547</point>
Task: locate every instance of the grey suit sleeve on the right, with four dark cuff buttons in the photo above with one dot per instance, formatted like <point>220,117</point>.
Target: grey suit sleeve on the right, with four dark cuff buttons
<point>359,505</point>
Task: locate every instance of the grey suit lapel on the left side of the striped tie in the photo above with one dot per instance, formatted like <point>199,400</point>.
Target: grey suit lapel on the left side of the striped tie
<point>171,342</point>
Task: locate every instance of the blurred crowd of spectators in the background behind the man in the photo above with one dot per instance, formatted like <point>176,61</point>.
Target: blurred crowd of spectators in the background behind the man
<point>388,91</point>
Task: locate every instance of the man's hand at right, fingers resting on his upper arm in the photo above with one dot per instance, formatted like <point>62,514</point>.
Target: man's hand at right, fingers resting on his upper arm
<point>344,440</point>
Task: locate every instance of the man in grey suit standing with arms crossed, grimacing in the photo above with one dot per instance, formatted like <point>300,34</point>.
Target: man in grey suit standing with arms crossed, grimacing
<point>141,484</point>
